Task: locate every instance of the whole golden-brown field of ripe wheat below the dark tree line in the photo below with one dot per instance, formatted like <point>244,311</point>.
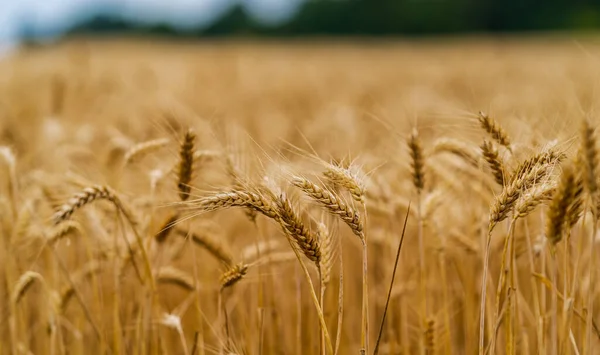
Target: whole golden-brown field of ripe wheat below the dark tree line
<point>219,198</point>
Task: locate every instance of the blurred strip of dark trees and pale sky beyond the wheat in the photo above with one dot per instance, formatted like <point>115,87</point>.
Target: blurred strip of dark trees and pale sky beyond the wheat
<point>31,21</point>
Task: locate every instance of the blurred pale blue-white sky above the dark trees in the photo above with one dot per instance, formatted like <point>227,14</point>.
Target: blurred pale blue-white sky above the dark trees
<point>54,16</point>
